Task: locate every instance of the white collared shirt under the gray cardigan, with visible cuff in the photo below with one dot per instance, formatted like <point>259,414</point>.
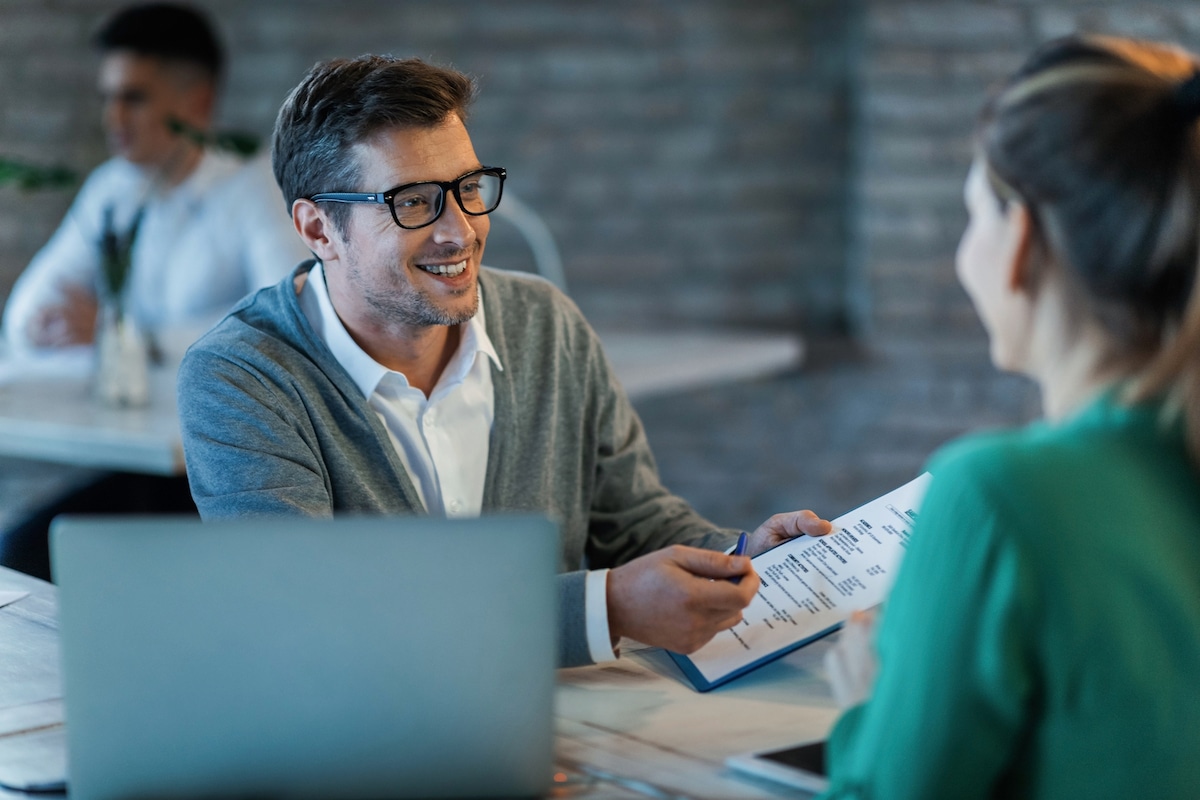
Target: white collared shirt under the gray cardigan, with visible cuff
<point>443,440</point>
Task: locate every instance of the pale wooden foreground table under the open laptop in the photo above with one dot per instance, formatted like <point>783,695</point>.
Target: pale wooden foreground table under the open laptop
<point>631,730</point>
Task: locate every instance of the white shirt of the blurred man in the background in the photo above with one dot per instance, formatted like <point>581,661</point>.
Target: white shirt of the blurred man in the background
<point>205,244</point>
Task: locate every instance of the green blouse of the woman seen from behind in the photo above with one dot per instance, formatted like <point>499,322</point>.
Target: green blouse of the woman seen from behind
<point>1043,636</point>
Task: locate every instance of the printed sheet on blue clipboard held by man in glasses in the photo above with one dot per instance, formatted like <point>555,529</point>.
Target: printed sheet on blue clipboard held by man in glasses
<point>812,586</point>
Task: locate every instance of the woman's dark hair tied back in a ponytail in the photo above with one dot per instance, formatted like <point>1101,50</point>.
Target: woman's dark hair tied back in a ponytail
<point>1100,140</point>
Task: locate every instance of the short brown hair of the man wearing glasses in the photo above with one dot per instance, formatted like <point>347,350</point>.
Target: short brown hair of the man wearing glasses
<point>346,101</point>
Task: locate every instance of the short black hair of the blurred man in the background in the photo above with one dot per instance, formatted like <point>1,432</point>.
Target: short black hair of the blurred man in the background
<point>167,32</point>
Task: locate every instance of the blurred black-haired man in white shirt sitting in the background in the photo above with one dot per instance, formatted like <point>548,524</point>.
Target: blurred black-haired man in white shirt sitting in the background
<point>211,225</point>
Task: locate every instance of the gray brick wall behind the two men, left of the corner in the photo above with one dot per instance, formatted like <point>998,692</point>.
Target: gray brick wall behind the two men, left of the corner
<point>689,155</point>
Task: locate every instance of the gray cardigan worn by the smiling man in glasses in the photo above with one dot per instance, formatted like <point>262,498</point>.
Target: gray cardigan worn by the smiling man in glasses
<point>273,425</point>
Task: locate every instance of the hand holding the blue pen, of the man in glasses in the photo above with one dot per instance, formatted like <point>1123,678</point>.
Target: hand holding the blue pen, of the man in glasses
<point>679,598</point>
